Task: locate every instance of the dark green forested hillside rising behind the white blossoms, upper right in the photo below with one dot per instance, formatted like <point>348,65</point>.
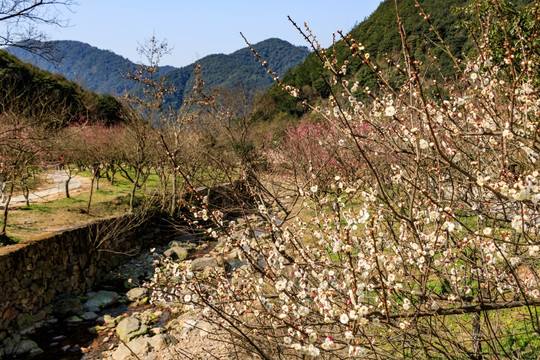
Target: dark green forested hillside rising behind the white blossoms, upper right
<point>381,39</point>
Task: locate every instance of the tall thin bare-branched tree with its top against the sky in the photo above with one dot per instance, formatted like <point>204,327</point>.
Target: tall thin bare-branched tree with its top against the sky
<point>177,127</point>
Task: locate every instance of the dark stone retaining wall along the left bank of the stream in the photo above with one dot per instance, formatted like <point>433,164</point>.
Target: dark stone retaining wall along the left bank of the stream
<point>34,273</point>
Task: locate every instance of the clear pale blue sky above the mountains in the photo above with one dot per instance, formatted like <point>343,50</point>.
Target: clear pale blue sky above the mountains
<point>197,28</point>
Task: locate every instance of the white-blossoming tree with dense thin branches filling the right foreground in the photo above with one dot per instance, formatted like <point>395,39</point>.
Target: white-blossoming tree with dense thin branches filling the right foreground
<point>430,252</point>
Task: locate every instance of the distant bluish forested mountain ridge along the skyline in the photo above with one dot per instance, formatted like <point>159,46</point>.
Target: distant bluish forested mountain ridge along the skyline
<point>101,70</point>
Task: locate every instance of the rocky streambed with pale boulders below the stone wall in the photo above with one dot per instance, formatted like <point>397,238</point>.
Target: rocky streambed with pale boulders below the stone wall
<point>116,321</point>
